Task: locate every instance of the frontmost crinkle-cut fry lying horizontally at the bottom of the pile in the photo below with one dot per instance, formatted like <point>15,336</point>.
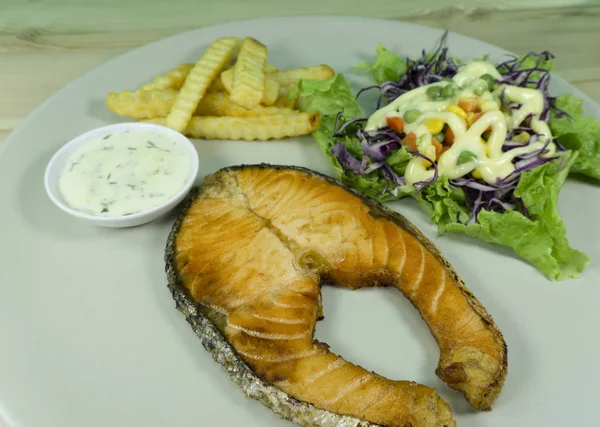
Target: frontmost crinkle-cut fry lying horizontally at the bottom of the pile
<point>250,128</point>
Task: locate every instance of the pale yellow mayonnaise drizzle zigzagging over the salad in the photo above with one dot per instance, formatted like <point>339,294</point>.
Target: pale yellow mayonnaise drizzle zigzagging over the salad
<point>489,160</point>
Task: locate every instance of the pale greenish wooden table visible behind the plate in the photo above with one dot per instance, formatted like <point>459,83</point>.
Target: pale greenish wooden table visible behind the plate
<point>44,44</point>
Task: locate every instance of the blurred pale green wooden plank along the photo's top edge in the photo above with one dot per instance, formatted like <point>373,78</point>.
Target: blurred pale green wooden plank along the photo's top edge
<point>47,17</point>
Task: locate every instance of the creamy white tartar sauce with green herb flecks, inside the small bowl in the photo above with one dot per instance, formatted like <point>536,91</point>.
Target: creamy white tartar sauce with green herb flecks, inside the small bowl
<point>124,173</point>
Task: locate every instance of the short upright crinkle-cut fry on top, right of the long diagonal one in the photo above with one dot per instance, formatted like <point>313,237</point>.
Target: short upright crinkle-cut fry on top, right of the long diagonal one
<point>249,74</point>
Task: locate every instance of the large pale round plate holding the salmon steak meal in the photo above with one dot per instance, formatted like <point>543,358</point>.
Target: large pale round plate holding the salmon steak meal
<point>89,335</point>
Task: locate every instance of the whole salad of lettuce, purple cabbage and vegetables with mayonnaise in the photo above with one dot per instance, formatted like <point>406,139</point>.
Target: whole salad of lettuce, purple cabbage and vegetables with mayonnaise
<point>482,146</point>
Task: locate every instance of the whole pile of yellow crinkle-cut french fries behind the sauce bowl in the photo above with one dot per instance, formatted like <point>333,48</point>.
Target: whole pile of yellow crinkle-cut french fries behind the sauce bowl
<point>231,92</point>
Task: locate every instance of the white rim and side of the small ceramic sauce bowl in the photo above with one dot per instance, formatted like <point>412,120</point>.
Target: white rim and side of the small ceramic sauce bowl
<point>57,163</point>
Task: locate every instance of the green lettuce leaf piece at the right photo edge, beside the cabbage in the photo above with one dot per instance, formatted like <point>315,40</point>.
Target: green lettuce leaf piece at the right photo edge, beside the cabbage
<point>578,133</point>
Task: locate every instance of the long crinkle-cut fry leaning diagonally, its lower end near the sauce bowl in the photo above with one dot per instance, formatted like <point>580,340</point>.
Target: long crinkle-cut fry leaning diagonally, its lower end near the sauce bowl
<point>199,79</point>
